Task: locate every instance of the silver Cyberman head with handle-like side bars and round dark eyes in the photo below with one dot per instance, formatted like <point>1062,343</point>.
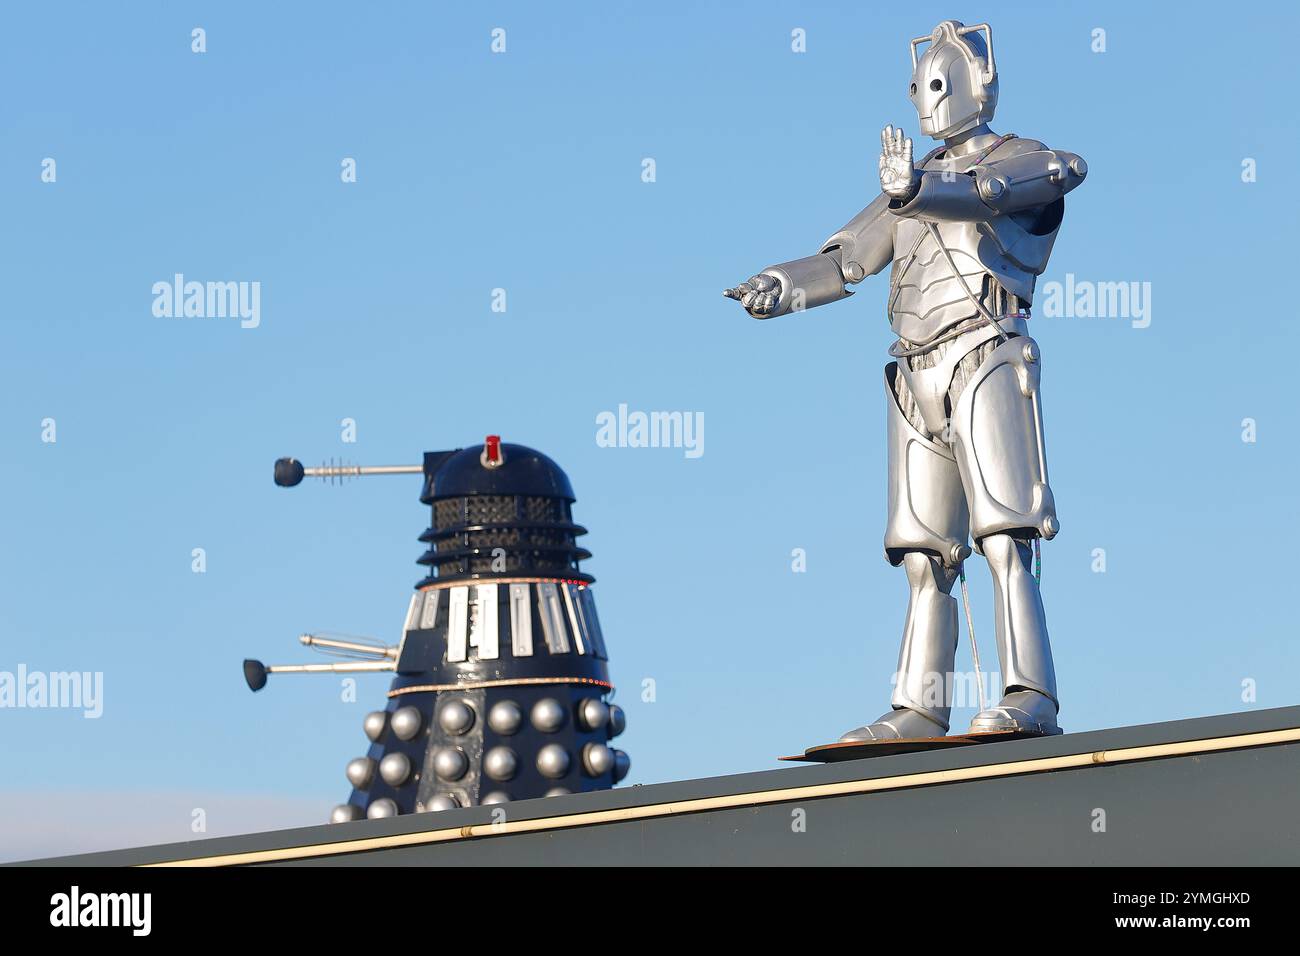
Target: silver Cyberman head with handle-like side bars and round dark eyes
<point>955,83</point>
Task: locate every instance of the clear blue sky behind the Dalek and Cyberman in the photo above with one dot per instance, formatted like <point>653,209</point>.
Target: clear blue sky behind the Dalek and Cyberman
<point>525,171</point>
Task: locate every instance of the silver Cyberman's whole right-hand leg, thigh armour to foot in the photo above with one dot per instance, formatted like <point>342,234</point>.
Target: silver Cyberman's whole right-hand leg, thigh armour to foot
<point>998,440</point>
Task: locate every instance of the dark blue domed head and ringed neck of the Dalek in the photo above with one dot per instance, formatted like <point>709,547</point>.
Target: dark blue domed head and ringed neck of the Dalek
<point>500,511</point>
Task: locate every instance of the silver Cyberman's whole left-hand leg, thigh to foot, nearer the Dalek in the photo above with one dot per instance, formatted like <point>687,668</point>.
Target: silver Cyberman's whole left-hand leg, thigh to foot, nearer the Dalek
<point>926,534</point>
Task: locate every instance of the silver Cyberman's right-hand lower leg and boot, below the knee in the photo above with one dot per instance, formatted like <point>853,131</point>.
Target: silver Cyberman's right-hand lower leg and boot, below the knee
<point>1029,680</point>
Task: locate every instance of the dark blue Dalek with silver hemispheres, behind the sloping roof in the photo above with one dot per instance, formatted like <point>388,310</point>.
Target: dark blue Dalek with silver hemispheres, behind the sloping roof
<point>502,689</point>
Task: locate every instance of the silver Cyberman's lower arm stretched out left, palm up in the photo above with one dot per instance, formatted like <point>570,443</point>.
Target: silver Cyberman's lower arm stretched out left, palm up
<point>864,248</point>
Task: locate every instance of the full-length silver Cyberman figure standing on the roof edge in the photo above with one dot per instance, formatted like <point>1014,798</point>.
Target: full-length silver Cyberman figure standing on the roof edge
<point>967,231</point>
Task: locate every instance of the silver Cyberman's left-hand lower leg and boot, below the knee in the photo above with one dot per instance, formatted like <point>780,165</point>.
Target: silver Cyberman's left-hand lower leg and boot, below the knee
<point>924,686</point>
